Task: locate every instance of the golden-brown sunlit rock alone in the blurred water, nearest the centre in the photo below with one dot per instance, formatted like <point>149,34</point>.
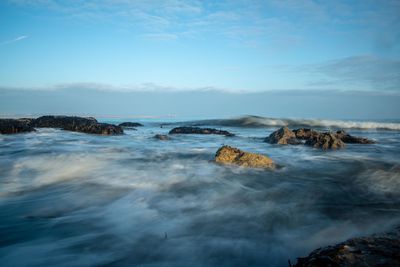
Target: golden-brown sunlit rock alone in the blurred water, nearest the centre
<point>231,155</point>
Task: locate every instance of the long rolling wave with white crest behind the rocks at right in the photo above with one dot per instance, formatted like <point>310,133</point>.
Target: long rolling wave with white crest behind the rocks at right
<point>259,122</point>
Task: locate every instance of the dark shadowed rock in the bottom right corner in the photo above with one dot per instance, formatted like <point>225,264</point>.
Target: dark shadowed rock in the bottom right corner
<point>375,250</point>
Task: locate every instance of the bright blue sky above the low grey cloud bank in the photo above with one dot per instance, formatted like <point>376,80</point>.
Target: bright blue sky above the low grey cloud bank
<point>235,47</point>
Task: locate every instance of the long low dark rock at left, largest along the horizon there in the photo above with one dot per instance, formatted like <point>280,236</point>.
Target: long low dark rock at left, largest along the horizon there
<point>78,124</point>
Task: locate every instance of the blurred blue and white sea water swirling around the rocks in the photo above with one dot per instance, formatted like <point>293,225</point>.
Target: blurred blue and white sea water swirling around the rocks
<point>74,199</point>
